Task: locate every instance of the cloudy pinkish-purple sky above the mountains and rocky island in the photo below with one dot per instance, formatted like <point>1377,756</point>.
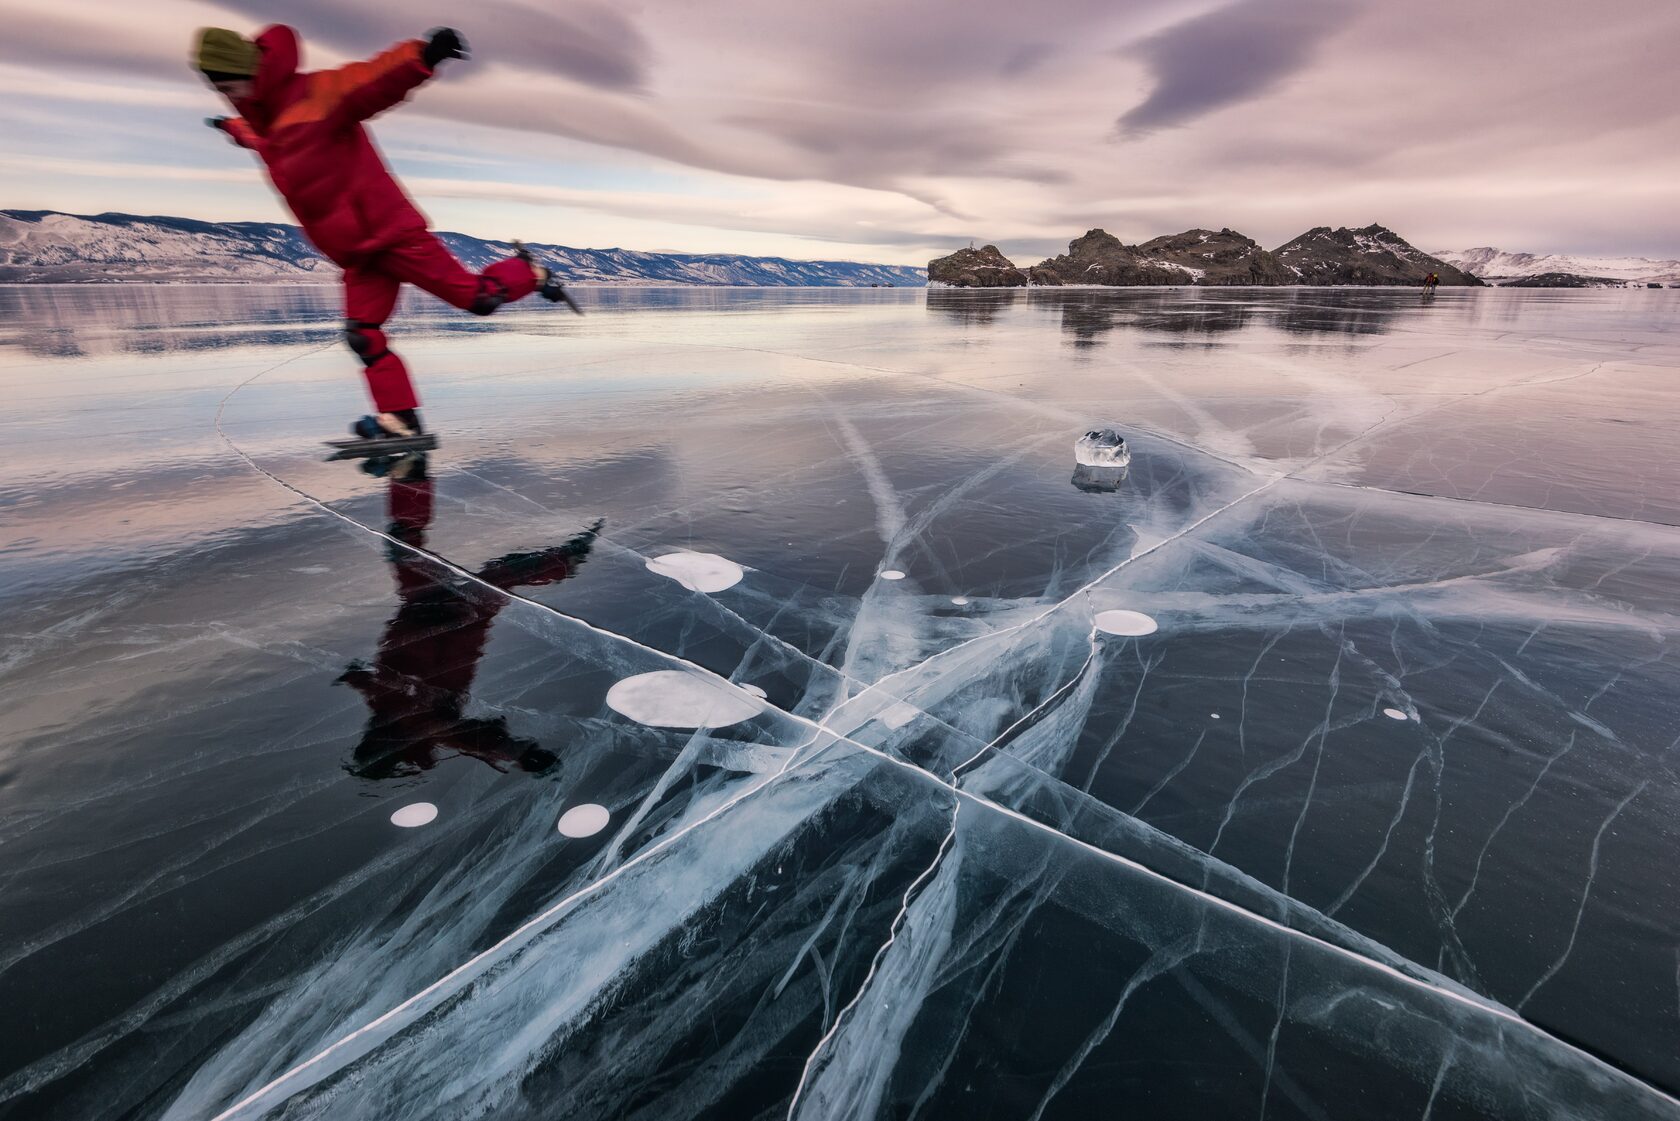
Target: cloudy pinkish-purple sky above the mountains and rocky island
<point>898,130</point>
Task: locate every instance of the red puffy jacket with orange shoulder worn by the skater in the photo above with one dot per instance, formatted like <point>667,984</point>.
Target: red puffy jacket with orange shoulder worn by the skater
<point>308,132</point>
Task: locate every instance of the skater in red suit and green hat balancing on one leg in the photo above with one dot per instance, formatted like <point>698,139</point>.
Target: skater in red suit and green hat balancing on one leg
<point>308,129</point>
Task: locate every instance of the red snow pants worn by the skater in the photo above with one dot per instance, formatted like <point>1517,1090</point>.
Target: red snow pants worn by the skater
<point>419,260</point>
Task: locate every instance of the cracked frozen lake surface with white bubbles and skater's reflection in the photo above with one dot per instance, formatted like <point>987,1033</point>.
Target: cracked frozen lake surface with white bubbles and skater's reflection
<point>750,712</point>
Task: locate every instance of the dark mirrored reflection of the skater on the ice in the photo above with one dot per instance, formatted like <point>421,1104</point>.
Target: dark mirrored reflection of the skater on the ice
<point>419,685</point>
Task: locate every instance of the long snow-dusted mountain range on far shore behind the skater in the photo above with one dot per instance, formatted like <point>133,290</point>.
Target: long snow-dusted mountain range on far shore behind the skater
<point>46,246</point>
